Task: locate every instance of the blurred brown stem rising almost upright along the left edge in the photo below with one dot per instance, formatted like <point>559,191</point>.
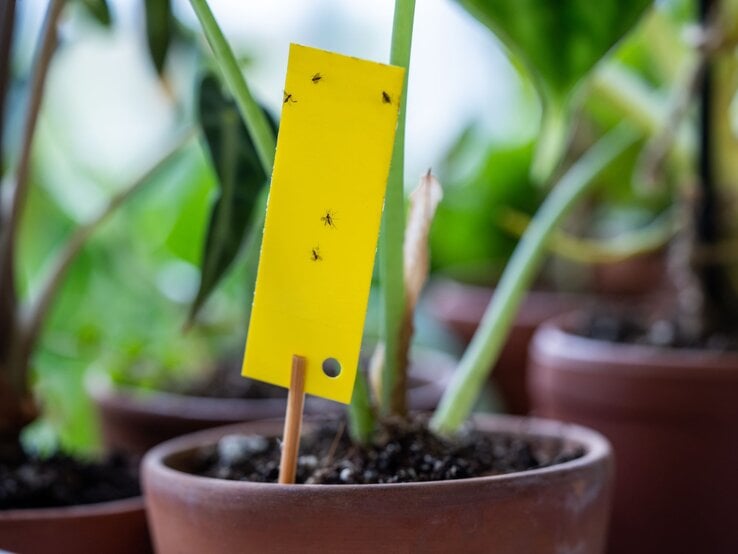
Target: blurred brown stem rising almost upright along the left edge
<point>18,379</point>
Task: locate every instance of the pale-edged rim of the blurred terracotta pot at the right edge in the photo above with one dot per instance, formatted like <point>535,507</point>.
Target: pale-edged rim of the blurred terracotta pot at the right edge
<point>555,336</point>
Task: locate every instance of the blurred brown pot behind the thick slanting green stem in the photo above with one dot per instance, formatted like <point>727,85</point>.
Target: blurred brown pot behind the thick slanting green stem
<point>460,307</point>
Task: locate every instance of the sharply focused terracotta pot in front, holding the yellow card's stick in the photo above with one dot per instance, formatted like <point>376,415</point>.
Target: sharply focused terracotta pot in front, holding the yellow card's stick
<point>562,508</point>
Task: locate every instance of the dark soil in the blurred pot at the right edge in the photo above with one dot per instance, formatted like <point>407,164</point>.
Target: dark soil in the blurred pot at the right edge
<point>615,327</point>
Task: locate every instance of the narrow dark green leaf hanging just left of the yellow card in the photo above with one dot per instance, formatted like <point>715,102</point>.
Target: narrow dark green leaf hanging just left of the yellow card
<point>240,180</point>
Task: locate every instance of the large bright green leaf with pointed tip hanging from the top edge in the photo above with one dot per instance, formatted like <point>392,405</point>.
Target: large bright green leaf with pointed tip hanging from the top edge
<point>559,41</point>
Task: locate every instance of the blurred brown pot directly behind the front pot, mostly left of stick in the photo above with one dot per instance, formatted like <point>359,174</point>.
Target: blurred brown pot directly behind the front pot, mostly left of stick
<point>134,421</point>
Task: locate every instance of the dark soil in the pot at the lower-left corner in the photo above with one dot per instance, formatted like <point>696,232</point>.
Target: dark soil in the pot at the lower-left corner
<point>63,481</point>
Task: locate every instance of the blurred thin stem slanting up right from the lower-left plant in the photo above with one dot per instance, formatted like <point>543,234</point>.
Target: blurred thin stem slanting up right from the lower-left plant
<point>32,322</point>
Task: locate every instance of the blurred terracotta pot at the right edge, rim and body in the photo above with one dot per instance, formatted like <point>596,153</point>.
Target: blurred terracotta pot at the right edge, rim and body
<point>672,417</point>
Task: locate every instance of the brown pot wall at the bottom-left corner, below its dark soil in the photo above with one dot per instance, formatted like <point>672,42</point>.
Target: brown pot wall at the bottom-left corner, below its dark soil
<point>117,527</point>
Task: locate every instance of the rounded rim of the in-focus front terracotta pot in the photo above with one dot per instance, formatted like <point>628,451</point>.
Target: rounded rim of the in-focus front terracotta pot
<point>597,450</point>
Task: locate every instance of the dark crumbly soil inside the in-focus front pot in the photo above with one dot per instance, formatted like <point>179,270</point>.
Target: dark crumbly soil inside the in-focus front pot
<point>402,452</point>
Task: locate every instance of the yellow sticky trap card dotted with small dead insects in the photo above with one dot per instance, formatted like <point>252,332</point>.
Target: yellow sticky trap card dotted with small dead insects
<point>334,149</point>
